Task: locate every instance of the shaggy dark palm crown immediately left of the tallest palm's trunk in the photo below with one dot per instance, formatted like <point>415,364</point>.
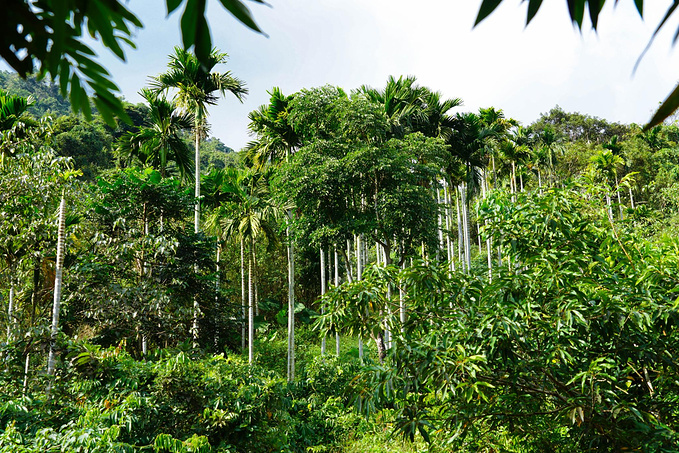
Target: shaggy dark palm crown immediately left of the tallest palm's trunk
<point>160,140</point>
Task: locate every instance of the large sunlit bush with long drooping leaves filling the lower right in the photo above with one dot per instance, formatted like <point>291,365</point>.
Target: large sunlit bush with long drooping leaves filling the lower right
<point>571,347</point>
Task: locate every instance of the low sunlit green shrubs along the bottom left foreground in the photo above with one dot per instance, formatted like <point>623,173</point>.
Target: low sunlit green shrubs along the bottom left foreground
<point>104,400</point>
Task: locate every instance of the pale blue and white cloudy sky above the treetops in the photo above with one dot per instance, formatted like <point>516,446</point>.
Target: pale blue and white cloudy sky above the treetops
<point>523,70</point>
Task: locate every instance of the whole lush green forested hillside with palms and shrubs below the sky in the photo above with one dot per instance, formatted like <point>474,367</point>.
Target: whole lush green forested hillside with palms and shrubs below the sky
<point>377,260</point>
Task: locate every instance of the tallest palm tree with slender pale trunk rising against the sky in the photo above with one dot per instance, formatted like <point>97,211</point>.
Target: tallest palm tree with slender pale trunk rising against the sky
<point>197,87</point>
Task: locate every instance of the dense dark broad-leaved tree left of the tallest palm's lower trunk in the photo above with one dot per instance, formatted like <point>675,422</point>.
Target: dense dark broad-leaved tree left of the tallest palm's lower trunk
<point>140,273</point>
